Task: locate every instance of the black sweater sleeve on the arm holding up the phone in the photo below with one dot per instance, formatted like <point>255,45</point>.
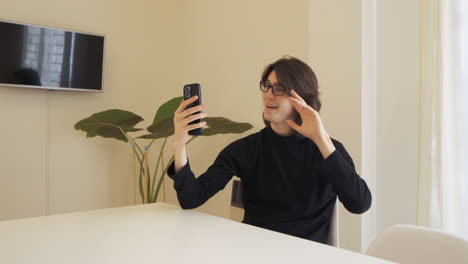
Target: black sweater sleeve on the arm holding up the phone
<point>193,192</point>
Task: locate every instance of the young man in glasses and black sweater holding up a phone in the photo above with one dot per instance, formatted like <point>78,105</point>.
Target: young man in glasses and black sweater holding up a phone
<point>291,171</point>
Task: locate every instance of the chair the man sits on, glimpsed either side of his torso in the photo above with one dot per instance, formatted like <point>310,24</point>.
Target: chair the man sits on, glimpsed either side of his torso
<point>237,213</point>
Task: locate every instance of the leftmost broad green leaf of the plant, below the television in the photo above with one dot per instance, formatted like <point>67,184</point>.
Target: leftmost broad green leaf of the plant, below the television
<point>109,124</point>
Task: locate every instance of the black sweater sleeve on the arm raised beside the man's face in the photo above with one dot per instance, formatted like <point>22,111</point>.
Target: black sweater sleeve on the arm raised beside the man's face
<point>352,190</point>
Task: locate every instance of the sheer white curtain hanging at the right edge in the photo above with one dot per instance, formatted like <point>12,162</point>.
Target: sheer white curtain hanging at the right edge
<point>443,175</point>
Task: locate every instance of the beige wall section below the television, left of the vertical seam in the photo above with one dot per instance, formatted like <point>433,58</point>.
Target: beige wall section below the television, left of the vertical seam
<point>22,153</point>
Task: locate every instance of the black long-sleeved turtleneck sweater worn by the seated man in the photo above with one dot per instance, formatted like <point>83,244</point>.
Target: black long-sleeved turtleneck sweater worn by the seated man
<point>287,185</point>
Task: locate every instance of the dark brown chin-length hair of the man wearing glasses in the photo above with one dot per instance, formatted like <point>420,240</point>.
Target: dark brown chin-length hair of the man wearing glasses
<point>294,74</point>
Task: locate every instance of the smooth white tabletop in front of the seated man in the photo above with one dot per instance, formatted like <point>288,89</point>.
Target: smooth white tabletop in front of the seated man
<point>156,233</point>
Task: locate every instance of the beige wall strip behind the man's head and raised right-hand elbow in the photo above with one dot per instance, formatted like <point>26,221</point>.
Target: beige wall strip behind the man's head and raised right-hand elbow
<point>335,56</point>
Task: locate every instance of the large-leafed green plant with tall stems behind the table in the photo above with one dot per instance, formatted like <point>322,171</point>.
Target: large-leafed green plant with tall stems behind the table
<point>118,124</point>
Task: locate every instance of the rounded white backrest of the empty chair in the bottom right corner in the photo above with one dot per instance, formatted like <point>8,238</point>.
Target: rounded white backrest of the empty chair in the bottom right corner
<point>415,244</point>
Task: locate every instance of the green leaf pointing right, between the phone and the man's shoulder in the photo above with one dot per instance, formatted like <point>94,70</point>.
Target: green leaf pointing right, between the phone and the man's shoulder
<point>221,125</point>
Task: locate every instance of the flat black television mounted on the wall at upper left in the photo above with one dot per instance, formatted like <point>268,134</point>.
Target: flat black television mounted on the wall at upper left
<point>50,58</point>
